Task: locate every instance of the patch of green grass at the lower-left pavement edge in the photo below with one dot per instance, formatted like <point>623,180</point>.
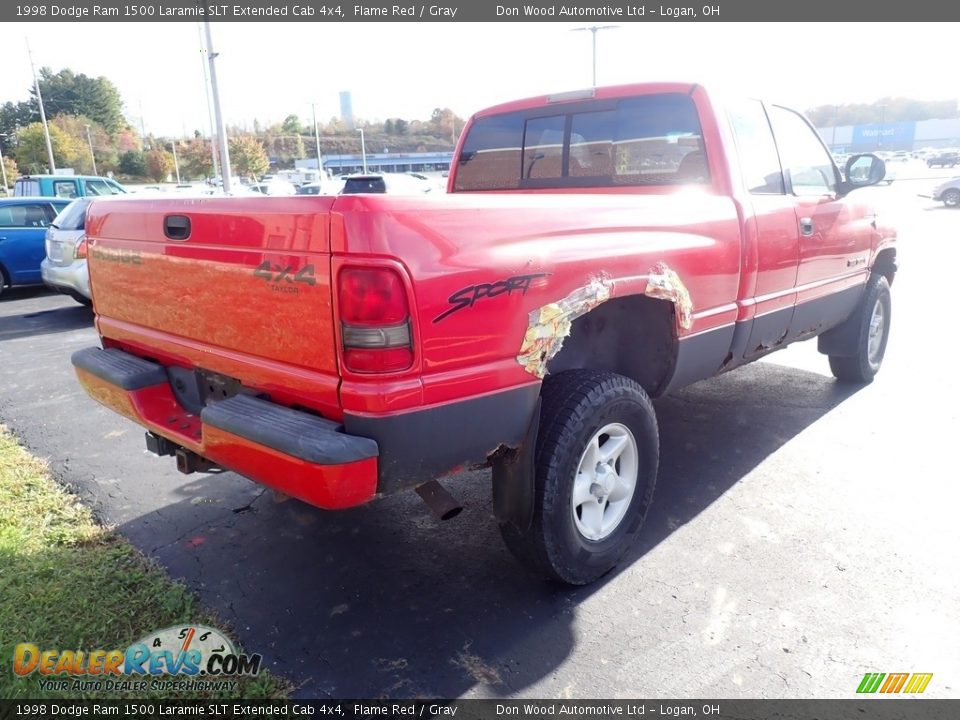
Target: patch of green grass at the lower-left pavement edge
<point>67,583</point>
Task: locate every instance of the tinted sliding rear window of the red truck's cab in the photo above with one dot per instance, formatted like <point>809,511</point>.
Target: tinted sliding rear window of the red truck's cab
<point>644,140</point>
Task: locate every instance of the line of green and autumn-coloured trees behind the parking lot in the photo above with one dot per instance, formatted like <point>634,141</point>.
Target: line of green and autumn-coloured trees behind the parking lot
<point>85,113</point>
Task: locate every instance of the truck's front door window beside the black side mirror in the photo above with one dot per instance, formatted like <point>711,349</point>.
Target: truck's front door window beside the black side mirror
<point>806,162</point>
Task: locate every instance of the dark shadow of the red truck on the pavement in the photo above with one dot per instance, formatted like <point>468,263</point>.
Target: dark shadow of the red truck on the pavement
<point>386,601</point>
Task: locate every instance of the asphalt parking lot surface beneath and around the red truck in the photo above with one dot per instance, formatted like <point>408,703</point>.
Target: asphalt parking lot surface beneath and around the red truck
<point>803,532</point>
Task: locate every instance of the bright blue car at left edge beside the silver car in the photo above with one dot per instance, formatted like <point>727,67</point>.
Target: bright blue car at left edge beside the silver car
<point>23,228</point>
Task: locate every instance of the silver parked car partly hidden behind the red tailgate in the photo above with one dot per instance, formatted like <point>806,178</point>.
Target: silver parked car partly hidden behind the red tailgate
<point>65,266</point>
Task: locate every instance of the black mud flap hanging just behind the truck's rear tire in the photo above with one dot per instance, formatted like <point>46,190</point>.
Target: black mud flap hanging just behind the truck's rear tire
<point>514,486</point>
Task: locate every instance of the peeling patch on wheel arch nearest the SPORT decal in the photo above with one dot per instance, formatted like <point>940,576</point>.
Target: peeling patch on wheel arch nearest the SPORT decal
<point>550,324</point>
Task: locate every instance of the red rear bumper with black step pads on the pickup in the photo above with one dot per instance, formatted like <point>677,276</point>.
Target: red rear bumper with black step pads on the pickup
<point>294,452</point>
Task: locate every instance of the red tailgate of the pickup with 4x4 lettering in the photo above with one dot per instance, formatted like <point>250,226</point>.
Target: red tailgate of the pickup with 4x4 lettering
<point>240,278</point>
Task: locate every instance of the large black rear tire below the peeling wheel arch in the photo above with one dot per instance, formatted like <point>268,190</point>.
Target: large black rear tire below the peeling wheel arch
<point>576,405</point>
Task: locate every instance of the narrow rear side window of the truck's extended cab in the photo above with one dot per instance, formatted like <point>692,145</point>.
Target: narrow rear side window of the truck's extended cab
<point>759,161</point>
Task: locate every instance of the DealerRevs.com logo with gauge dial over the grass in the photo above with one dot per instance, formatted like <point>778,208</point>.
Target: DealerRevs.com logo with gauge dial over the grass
<point>197,657</point>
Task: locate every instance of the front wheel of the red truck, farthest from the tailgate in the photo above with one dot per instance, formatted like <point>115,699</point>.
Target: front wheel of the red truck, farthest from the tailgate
<point>864,363</point>
